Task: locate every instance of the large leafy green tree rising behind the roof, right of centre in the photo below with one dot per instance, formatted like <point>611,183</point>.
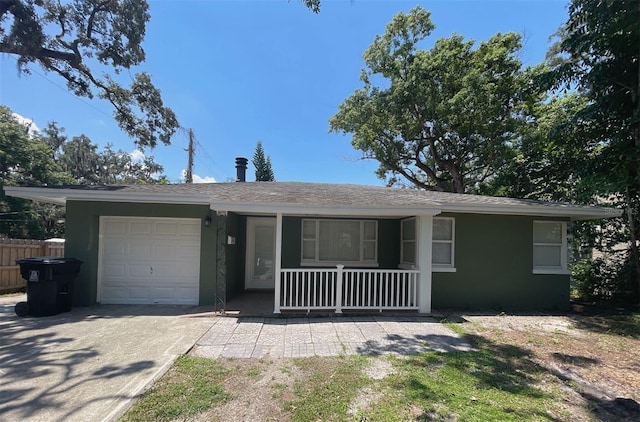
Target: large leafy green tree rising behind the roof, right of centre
<point>442,118</point>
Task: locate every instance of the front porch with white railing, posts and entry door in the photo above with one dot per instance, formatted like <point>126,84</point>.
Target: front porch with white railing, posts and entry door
<point>358,264</point>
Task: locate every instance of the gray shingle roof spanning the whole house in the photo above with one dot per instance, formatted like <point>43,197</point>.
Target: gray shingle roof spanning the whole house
<point>324,195</point>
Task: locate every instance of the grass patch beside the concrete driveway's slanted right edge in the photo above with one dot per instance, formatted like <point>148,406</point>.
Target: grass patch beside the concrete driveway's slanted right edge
<point>191,386</point>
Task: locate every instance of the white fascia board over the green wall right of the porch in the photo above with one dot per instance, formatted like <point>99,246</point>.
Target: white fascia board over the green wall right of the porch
<point>572,212</point>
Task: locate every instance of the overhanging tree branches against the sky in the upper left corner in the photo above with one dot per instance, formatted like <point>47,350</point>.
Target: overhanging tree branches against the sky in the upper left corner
<point>89,43</point>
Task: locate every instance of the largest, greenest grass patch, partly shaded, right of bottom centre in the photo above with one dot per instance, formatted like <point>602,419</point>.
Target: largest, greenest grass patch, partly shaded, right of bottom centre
<point>496,383</point>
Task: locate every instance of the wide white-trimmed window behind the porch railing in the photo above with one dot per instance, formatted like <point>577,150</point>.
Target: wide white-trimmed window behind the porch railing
<point>328,242</point>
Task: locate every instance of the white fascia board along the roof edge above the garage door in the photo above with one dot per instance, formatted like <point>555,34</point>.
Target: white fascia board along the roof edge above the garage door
<point>61,196</point>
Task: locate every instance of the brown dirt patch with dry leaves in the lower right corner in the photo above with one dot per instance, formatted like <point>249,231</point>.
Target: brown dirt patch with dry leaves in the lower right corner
<point>601,371</point>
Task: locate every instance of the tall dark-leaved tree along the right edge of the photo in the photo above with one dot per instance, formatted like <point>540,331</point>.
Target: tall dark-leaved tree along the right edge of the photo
<point>598,54</point>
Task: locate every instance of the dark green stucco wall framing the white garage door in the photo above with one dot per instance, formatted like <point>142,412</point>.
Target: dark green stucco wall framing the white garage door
<point>81,233</point>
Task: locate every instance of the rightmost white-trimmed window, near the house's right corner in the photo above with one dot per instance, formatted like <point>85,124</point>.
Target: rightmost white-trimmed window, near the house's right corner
<point>550,247</point>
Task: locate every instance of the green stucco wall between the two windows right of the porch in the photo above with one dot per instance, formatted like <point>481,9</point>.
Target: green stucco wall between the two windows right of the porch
<point>494,263</point>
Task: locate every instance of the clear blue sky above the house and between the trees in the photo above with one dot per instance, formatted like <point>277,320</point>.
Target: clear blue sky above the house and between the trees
<point>241,71</point>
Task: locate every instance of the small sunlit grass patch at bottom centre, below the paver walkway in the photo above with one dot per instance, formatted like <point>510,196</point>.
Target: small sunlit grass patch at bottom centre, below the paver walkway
<point>326,388</point>
